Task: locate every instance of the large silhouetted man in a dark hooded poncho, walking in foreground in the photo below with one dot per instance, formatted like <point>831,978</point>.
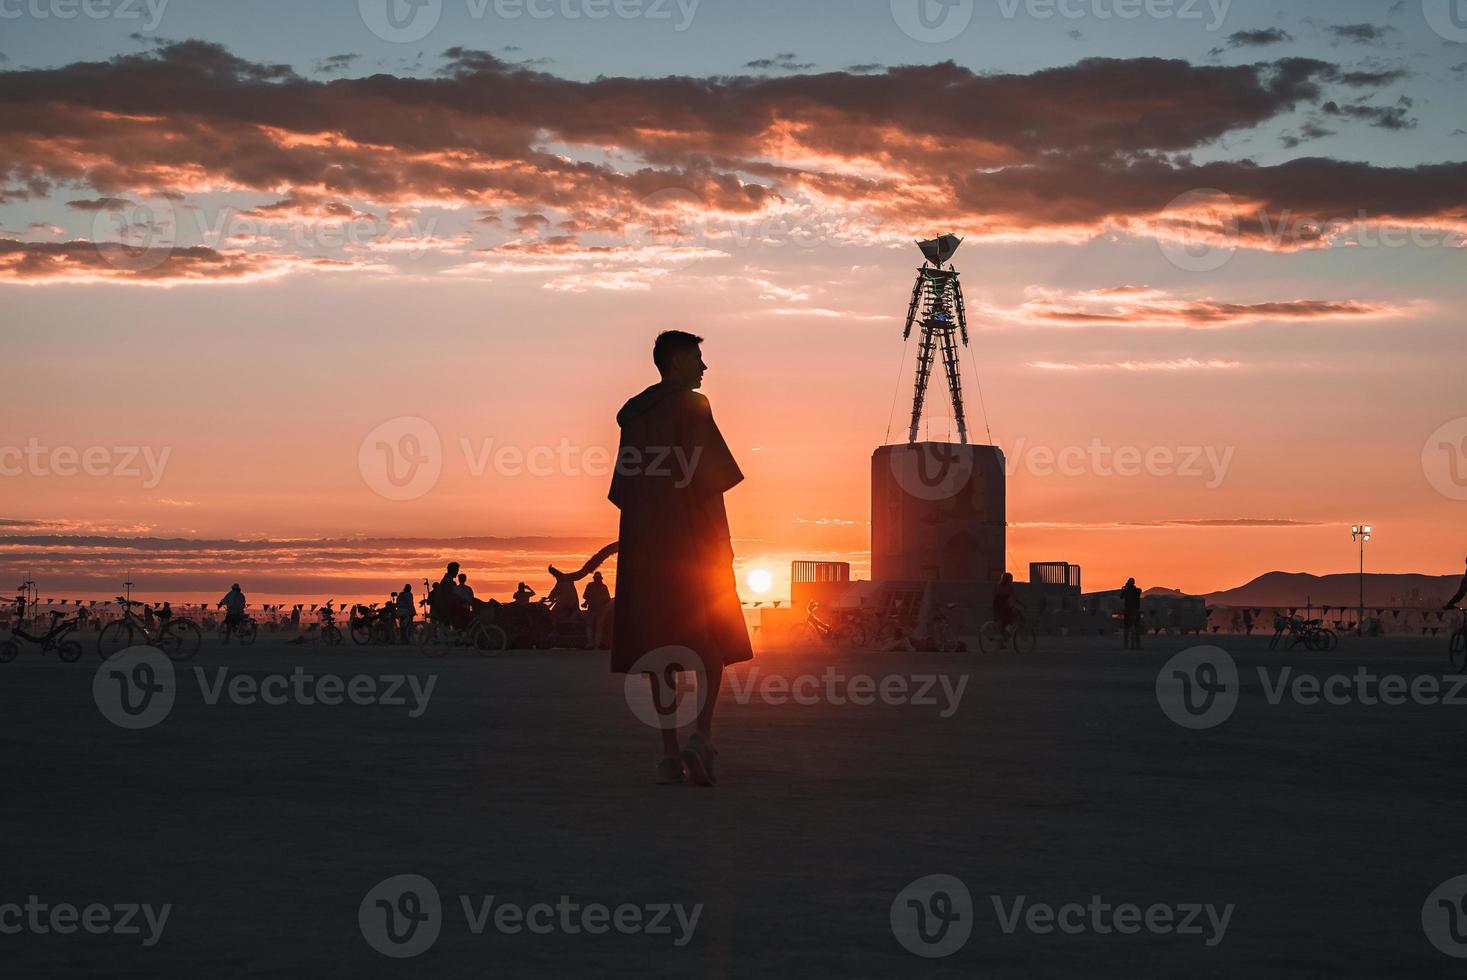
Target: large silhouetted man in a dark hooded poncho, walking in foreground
<point>676,574</point>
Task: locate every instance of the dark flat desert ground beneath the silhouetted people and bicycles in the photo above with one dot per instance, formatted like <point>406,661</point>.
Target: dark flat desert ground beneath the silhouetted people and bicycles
<point>1047,780</point>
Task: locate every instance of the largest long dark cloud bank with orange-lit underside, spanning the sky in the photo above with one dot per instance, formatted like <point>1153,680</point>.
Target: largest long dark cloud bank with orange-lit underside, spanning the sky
<point>1058,155</point>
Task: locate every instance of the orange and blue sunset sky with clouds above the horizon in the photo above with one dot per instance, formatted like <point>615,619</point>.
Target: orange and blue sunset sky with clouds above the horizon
<point>1214,281</point>
